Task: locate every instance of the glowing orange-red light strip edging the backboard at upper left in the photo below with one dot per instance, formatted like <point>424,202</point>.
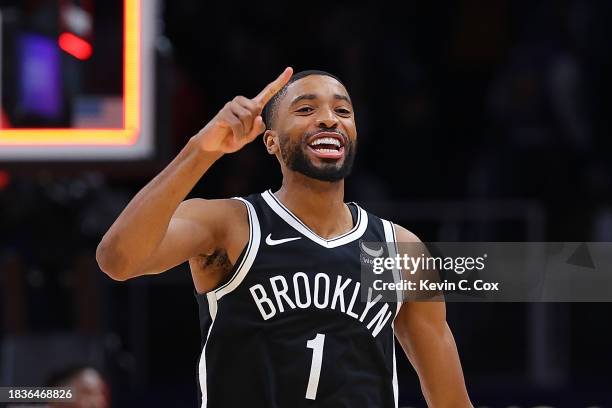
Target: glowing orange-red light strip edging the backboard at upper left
<point>127,135</point>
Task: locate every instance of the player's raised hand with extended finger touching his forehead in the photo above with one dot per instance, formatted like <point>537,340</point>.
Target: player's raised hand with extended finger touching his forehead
<point>239,121</point>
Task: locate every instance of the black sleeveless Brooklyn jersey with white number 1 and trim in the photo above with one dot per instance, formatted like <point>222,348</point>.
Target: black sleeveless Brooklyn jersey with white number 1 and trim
<point>289,328</point>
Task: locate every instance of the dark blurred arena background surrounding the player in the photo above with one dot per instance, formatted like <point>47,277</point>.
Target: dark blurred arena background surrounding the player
<point>478,120</point>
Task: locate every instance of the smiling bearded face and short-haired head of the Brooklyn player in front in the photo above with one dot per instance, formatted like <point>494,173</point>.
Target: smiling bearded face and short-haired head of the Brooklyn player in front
<point>315,128</point>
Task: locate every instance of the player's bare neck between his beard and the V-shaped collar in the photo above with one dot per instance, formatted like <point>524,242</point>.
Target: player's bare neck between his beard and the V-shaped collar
<point>319,204</point>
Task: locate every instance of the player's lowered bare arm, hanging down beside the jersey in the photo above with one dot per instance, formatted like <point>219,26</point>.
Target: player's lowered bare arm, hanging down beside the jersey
<point>428,342</point>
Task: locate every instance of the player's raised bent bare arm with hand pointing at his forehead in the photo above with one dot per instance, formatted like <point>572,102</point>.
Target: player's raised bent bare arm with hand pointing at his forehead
<point>158,230</point>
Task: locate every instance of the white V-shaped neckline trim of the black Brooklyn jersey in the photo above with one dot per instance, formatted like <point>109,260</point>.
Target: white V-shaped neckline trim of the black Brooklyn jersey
<point>356,232</point>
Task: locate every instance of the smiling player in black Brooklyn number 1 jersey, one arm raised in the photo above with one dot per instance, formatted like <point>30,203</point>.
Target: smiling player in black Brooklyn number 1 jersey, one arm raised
<point>277,274</point>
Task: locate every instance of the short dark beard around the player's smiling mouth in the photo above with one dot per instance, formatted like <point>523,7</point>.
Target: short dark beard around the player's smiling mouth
<point>296,159</point>
